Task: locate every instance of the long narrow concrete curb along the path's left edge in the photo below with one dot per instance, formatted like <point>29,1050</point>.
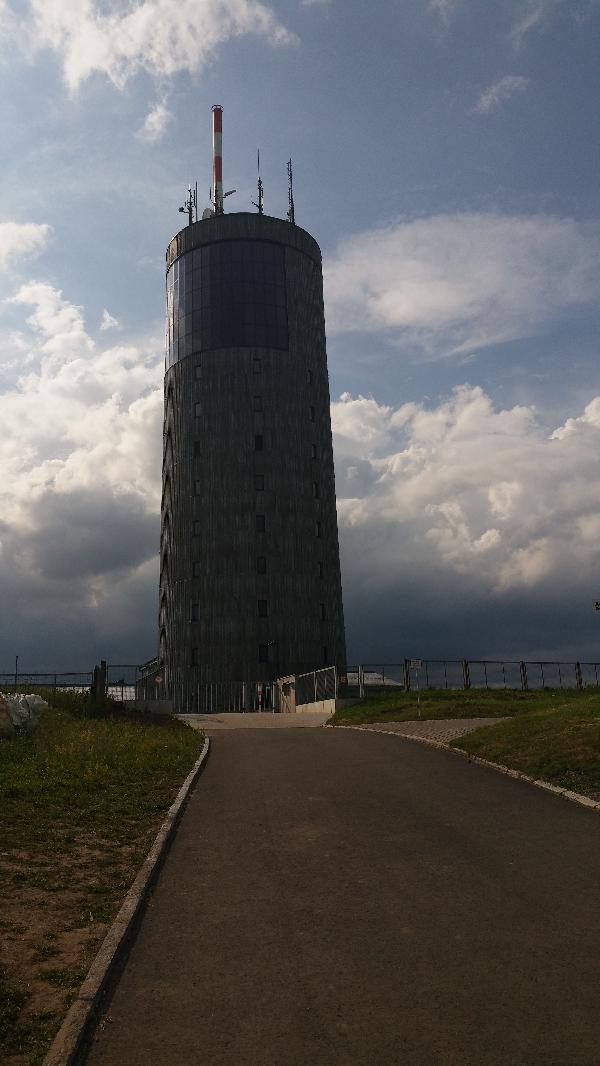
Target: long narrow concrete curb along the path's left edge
<point>82,1016</point>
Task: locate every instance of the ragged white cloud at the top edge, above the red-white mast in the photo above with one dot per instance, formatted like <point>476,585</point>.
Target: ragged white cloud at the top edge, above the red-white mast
<point>158,37</point>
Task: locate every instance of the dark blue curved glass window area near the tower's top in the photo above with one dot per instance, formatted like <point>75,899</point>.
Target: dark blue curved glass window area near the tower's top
<point>228,295</point>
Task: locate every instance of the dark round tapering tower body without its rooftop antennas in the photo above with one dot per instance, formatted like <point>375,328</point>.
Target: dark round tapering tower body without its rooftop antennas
<point>250,577</point>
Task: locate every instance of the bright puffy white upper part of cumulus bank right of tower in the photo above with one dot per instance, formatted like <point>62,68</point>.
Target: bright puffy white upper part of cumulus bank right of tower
<point>468,489</point>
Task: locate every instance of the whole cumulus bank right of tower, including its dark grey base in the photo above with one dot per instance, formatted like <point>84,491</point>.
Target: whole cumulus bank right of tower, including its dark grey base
<point>461,511</point>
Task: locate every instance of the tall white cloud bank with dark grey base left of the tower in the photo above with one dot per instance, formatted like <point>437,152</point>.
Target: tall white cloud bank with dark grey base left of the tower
<point>80,454</point>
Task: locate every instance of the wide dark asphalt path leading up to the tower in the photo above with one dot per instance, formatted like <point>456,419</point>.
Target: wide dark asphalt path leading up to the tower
<point>350,898</point>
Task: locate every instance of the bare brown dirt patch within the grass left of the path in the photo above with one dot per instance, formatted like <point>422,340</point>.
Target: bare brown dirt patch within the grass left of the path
<point>55,913</point>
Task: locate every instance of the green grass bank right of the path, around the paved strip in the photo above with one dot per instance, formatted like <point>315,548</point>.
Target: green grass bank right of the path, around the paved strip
<point>554,735</point>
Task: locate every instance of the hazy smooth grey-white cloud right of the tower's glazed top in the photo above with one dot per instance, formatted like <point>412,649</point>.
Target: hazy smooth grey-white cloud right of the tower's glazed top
<point>456,283</point>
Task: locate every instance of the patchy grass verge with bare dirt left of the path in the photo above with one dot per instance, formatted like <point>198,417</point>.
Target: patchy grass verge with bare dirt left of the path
<point>82,799</point>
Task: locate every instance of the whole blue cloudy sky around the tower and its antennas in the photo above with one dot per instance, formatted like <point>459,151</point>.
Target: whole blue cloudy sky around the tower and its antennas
<point>446,159</point>
